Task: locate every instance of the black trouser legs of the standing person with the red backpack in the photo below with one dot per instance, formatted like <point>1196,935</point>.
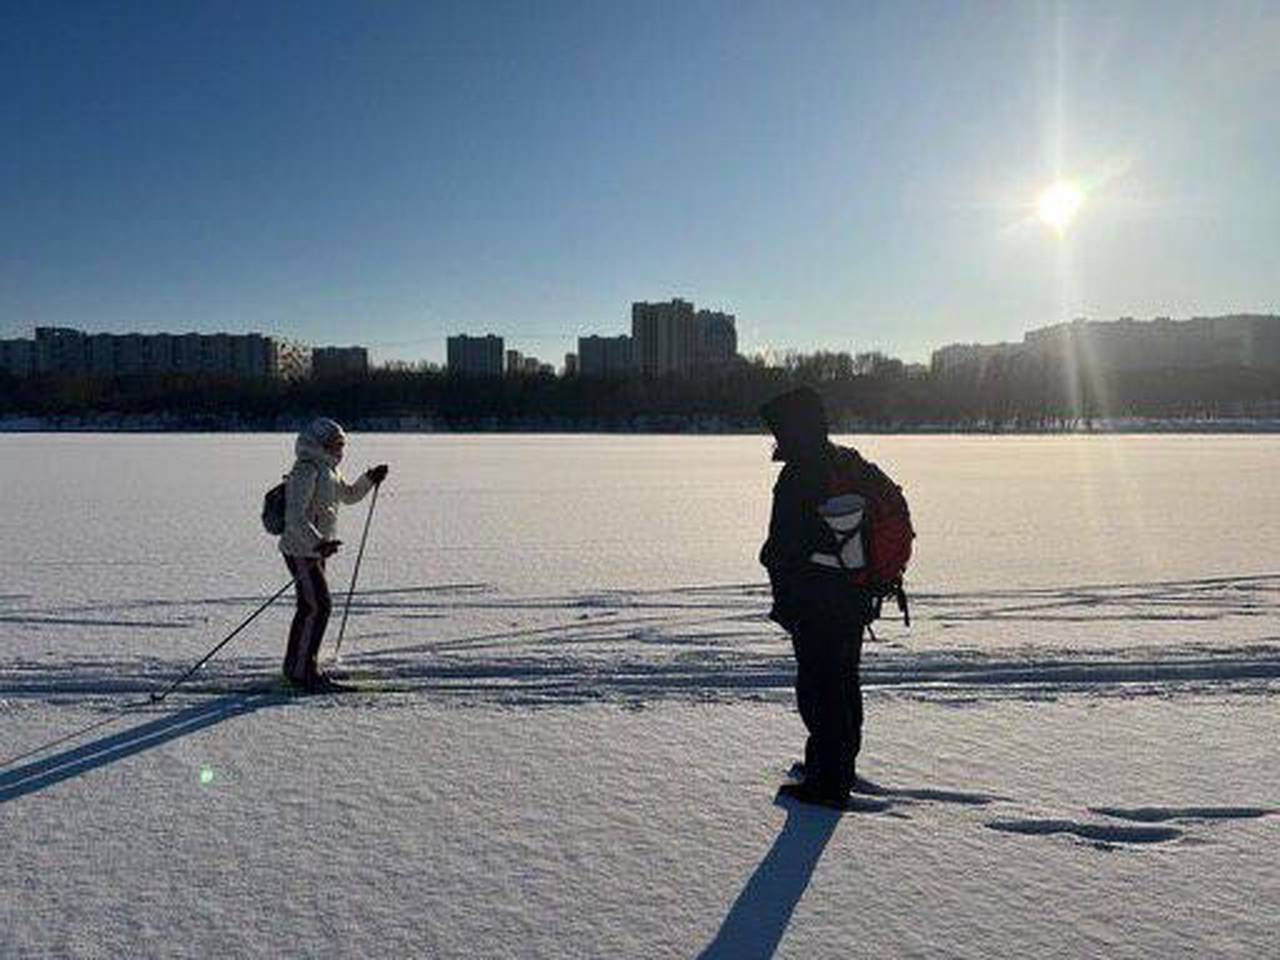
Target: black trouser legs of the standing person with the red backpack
<point>830,698</point>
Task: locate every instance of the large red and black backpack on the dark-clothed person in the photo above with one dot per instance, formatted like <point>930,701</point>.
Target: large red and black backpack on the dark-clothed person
<point>872,524</point>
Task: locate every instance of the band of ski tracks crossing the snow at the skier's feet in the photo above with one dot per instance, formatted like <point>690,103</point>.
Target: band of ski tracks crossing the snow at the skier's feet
<point>702,643</point>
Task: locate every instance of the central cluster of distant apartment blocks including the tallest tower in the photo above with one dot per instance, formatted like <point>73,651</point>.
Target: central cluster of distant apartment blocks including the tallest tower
<point>666,339</point>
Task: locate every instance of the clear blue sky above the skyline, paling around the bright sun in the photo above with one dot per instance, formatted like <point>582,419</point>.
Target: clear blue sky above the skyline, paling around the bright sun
<point>854,176</point>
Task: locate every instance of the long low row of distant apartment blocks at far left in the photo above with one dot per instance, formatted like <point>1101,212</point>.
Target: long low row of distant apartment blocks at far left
<point>70,353</point>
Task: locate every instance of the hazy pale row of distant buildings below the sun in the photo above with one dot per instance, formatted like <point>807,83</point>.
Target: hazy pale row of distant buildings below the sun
<point>1128,345</point>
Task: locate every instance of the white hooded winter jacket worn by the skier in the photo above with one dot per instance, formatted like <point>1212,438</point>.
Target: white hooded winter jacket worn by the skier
<point>313,492</point>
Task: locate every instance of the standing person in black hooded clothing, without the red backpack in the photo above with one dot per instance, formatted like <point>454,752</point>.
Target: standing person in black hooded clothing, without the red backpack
<point>817,605</point>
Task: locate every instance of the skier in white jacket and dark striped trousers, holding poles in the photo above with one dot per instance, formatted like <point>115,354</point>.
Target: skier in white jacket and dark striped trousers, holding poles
<point>313,492</point>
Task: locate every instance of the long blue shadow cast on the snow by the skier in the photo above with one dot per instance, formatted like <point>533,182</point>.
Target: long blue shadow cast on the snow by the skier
<point>38,775</point>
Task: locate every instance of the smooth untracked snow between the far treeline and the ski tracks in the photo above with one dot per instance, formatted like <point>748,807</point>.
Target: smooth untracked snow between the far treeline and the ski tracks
<point>561,514</point>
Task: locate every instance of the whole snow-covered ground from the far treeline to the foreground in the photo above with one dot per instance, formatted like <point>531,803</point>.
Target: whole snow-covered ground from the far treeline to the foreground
<point>579,715</point>
